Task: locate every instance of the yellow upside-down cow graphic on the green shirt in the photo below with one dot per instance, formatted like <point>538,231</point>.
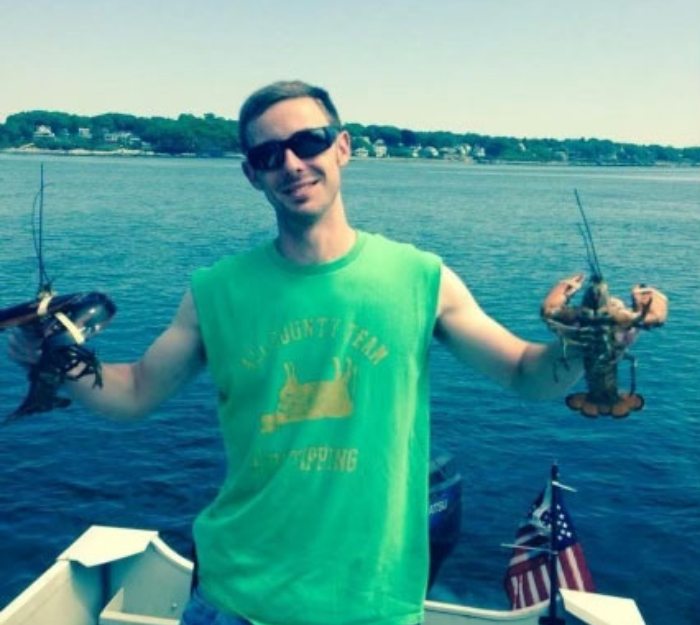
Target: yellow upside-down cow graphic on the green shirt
<point>318,399</point>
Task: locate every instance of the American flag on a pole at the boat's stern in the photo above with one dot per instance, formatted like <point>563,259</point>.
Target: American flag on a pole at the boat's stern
<point>527,577</point>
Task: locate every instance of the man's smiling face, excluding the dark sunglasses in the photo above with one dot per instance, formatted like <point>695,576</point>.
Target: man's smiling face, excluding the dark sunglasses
<point>301,189</point>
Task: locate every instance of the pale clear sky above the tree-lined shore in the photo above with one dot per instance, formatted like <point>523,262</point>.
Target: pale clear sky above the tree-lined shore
<point>625,70</point>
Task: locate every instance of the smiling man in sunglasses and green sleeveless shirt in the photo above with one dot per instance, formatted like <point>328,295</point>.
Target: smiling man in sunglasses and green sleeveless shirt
<point>318,345</point>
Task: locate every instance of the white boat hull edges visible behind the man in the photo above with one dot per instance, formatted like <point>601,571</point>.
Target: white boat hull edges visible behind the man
<point>124,576</point>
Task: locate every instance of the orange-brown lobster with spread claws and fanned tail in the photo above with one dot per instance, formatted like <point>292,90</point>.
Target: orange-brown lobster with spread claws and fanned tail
<point>602,327</point>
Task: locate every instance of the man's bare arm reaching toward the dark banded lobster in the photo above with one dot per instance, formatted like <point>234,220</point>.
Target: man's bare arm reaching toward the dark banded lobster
<point>132,390</point>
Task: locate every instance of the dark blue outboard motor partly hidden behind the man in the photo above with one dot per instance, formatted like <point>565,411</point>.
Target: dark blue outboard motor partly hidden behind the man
<point>444,510</point>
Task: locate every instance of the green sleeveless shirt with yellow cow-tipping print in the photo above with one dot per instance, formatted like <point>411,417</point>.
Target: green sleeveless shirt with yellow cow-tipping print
<point>323,403</point>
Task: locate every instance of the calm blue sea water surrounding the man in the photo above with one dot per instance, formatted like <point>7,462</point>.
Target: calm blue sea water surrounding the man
<point>137,228</point>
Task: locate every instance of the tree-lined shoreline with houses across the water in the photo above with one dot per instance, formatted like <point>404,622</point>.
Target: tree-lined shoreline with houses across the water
<point>213,136</point>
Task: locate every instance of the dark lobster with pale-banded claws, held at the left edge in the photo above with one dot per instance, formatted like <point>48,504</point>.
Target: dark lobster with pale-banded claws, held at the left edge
<point>60,325</point>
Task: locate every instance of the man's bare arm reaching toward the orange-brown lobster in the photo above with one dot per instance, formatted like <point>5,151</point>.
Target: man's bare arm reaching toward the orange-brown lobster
<point>478,340</point>
